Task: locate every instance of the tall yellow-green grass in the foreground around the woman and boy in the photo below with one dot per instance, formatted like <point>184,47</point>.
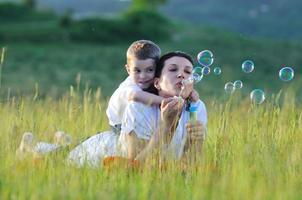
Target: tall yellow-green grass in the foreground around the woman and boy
<point>251,152</point>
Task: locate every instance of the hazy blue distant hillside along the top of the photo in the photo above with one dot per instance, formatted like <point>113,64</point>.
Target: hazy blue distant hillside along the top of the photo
<point>278,19</point>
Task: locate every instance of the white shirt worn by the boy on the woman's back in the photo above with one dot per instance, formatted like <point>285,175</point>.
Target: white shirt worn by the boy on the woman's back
<point>119,101</point>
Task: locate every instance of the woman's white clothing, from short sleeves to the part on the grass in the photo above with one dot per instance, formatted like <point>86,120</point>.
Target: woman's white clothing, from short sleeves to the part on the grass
<point>141,119</point>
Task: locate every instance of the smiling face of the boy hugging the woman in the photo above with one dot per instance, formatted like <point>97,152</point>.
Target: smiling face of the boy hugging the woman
<point>142,71</point>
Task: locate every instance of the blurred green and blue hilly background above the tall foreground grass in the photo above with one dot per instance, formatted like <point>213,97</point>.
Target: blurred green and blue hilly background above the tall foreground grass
<point>53,44</point>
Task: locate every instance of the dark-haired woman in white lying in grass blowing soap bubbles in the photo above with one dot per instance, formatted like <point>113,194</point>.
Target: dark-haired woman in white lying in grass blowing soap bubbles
<point>143,126</point>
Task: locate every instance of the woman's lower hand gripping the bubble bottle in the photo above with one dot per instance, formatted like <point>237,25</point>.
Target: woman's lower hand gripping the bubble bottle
<point>196,130</point>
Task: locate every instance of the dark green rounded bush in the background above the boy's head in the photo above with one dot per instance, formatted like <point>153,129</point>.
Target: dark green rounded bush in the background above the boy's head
<point>135,24</point>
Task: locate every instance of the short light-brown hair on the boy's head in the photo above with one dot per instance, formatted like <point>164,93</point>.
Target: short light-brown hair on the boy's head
<point>143,49</point>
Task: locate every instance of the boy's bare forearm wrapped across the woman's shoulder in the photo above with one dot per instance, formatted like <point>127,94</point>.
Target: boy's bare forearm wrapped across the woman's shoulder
<point>145,98</point>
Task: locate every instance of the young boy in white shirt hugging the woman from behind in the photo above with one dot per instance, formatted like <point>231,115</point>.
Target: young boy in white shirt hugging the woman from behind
<point>142,56</point>
